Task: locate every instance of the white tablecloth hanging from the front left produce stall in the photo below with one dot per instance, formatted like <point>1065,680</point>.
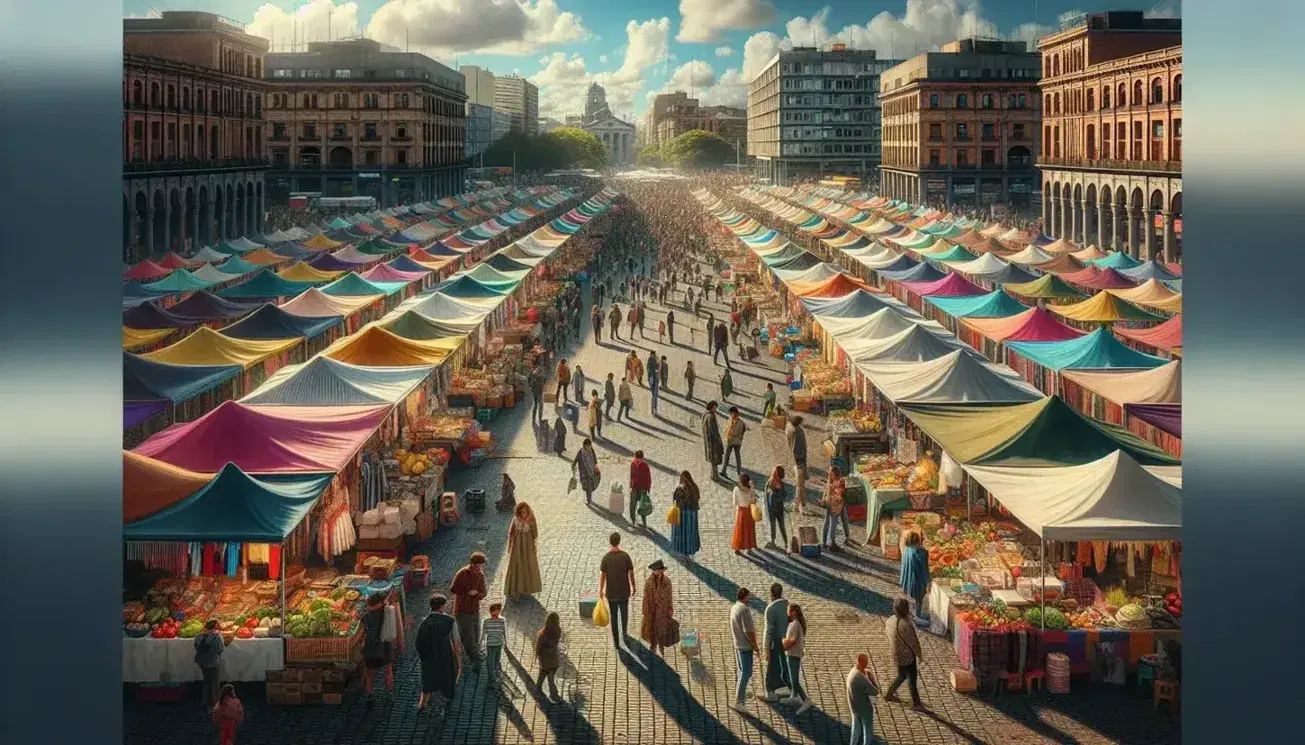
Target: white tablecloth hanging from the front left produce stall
<point>173,661</point>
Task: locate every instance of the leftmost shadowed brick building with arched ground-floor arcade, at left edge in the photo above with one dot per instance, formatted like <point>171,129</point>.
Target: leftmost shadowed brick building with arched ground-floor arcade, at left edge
<point>194,157</point>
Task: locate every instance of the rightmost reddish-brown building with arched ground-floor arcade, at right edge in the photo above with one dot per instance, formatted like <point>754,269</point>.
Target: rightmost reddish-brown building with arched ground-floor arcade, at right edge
<point>1113,132</point>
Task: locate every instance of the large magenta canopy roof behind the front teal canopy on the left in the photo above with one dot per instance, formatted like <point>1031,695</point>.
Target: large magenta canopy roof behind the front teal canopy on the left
<point>268,439</point>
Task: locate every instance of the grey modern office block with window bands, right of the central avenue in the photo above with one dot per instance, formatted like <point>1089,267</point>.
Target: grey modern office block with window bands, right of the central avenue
<point>816,113</point>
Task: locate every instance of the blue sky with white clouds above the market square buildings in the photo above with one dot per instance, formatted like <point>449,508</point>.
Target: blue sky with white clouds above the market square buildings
<point>637,49</point>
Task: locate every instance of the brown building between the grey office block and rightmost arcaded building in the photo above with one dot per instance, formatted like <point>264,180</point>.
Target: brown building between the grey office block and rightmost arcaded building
<point>961,126</point>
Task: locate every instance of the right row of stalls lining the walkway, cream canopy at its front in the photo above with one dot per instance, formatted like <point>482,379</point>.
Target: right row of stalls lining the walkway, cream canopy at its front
<point>1051,530</point>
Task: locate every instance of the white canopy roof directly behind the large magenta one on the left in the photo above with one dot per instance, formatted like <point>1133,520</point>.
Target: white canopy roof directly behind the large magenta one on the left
<point>323,382</point>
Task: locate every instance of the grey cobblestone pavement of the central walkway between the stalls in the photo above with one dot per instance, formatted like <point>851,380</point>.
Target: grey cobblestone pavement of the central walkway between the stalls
<point>645,699</point>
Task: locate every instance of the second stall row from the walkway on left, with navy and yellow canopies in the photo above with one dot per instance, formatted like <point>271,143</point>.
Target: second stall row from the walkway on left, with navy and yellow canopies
<point>208,348</point>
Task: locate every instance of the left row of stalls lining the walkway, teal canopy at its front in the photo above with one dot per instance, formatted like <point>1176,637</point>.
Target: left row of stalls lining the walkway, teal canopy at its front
<point>280,512</point>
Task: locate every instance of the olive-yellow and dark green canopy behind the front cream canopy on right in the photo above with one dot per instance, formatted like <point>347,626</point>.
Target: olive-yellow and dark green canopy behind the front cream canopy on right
<point>1039,435</point>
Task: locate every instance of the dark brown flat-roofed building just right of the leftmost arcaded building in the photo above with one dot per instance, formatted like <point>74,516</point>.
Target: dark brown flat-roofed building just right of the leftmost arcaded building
<point>357,118</point>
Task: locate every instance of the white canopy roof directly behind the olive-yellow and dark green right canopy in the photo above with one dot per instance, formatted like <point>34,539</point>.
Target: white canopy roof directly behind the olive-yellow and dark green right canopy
<point>956,378</point>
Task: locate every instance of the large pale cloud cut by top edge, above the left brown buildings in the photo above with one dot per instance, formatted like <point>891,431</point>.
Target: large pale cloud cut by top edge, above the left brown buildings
<point>440,28</point>
